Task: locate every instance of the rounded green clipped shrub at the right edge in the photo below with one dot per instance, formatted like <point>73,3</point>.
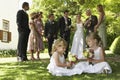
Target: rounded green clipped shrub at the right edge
<point>115,47</point>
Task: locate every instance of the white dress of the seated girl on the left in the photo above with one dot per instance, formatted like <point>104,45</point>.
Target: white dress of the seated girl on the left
<point>61,71</point>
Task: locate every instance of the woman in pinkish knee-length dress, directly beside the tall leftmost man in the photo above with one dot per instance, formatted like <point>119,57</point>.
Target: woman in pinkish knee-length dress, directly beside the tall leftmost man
<point>32,41</point>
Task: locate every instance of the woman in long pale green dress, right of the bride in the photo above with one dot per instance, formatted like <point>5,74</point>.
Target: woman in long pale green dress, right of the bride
<point>101,25</point>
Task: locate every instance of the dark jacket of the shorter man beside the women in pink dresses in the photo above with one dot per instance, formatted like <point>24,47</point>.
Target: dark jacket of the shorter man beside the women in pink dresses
<point>51,29</point>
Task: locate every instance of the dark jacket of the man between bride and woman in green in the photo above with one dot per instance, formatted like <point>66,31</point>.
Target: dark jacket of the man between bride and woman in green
<point>93,21</point>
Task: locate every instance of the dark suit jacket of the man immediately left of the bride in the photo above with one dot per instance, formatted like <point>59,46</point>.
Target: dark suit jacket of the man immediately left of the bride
<point>63,26</point>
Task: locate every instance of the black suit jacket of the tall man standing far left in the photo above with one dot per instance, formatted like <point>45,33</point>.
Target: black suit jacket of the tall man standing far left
<point>22,21</point>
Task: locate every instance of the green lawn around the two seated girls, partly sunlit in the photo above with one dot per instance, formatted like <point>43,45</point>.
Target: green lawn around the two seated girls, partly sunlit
<point>36,70</point>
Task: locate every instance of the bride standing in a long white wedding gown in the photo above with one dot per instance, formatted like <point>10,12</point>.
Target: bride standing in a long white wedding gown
<point>78,39</point>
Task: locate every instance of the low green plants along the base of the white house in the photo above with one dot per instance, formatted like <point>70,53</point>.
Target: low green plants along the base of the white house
<point>8,53</point>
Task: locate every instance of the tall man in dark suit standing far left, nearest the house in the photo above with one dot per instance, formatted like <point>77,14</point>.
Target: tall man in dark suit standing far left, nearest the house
<point>23,32</point>
